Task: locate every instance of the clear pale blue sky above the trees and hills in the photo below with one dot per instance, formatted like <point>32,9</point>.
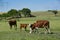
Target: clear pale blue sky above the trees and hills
<point>33,5</point>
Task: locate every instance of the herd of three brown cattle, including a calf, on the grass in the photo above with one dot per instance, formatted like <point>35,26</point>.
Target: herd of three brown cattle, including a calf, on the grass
<point>38,24</point>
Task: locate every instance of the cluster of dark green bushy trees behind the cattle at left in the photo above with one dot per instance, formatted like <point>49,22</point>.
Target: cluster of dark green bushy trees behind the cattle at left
<point>25,12</point>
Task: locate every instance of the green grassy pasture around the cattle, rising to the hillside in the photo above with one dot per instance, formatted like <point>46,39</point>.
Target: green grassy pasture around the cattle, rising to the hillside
<point>7,34</point>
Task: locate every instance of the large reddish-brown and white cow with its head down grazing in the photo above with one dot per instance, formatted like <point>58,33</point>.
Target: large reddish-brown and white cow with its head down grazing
<point>40,24</point>
